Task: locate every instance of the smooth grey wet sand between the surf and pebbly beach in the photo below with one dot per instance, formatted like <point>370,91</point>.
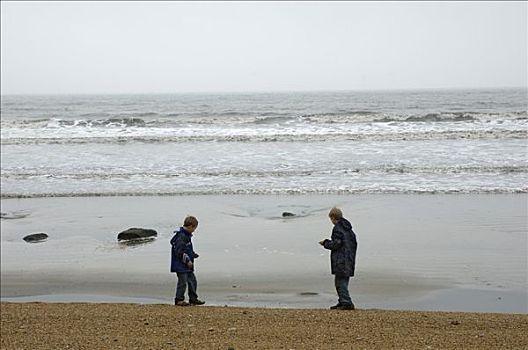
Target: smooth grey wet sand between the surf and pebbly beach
<point>416,252</point>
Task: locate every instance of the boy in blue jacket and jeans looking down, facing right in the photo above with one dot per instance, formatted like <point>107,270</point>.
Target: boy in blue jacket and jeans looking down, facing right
<point>182,262</point>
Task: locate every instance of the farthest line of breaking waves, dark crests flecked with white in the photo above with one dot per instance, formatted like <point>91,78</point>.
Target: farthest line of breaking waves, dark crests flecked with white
<point>227,118</point>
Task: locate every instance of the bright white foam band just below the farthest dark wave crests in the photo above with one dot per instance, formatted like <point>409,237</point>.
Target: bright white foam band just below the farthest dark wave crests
<point>267,133</point>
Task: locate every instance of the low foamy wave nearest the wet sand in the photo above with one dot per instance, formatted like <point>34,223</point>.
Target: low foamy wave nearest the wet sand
<point>382,179</point>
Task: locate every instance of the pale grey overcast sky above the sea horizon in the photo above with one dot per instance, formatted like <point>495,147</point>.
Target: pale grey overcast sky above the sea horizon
<point>173,47</point>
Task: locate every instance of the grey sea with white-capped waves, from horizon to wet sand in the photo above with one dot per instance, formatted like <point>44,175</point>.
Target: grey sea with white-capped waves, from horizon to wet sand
<point>346,142</point>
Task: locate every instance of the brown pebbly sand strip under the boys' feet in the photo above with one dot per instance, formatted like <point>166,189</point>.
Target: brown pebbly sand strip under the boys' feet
<point>135,326</point>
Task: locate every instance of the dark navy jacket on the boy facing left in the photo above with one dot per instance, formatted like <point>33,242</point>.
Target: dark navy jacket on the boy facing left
<point>343,245</point>
